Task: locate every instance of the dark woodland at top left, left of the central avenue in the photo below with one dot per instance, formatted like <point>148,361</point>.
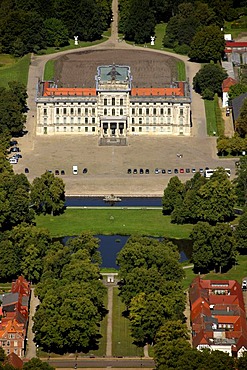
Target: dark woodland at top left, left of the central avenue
<point>28,26</point>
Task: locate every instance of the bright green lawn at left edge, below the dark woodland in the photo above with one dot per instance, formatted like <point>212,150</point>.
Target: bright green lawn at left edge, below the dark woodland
<point>12,69</point>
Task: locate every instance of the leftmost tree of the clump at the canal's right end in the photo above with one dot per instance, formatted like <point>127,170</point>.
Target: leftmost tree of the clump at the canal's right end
<point>173,195</point>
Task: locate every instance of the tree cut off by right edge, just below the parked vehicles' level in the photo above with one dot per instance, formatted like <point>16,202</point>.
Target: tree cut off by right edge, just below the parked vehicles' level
<point>241,182</point>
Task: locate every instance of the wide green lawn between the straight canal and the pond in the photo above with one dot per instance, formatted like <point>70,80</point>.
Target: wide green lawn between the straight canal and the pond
<point>113,221</point>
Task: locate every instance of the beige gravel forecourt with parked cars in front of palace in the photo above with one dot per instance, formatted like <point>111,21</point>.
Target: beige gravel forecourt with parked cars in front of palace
<point>107,166</point>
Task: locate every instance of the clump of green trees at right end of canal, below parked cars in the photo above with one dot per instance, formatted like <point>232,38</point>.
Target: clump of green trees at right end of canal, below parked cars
<point>200,199</point>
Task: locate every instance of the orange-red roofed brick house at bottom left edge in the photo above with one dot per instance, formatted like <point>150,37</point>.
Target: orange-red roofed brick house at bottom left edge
<point>14,319</point>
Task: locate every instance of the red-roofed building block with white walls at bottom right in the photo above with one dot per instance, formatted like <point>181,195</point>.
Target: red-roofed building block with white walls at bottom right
<point>218,317</point>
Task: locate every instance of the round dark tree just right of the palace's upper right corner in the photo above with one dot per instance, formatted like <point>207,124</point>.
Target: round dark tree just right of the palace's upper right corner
<point>209,77</point>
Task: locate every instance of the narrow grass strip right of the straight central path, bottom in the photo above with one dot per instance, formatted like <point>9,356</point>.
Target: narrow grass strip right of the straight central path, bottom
<point>121,339</point>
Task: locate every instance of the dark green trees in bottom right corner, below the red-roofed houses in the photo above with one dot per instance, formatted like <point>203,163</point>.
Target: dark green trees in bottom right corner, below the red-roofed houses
<point>172,351</point>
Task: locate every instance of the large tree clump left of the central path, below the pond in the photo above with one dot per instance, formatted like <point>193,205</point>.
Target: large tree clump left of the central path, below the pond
<point>71,296</point>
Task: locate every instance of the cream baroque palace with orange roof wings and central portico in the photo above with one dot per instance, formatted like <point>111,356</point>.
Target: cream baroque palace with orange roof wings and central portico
<point>113,110</point>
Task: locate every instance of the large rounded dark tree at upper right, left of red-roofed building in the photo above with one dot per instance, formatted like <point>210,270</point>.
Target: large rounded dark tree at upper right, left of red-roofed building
<point>208,44</point>
